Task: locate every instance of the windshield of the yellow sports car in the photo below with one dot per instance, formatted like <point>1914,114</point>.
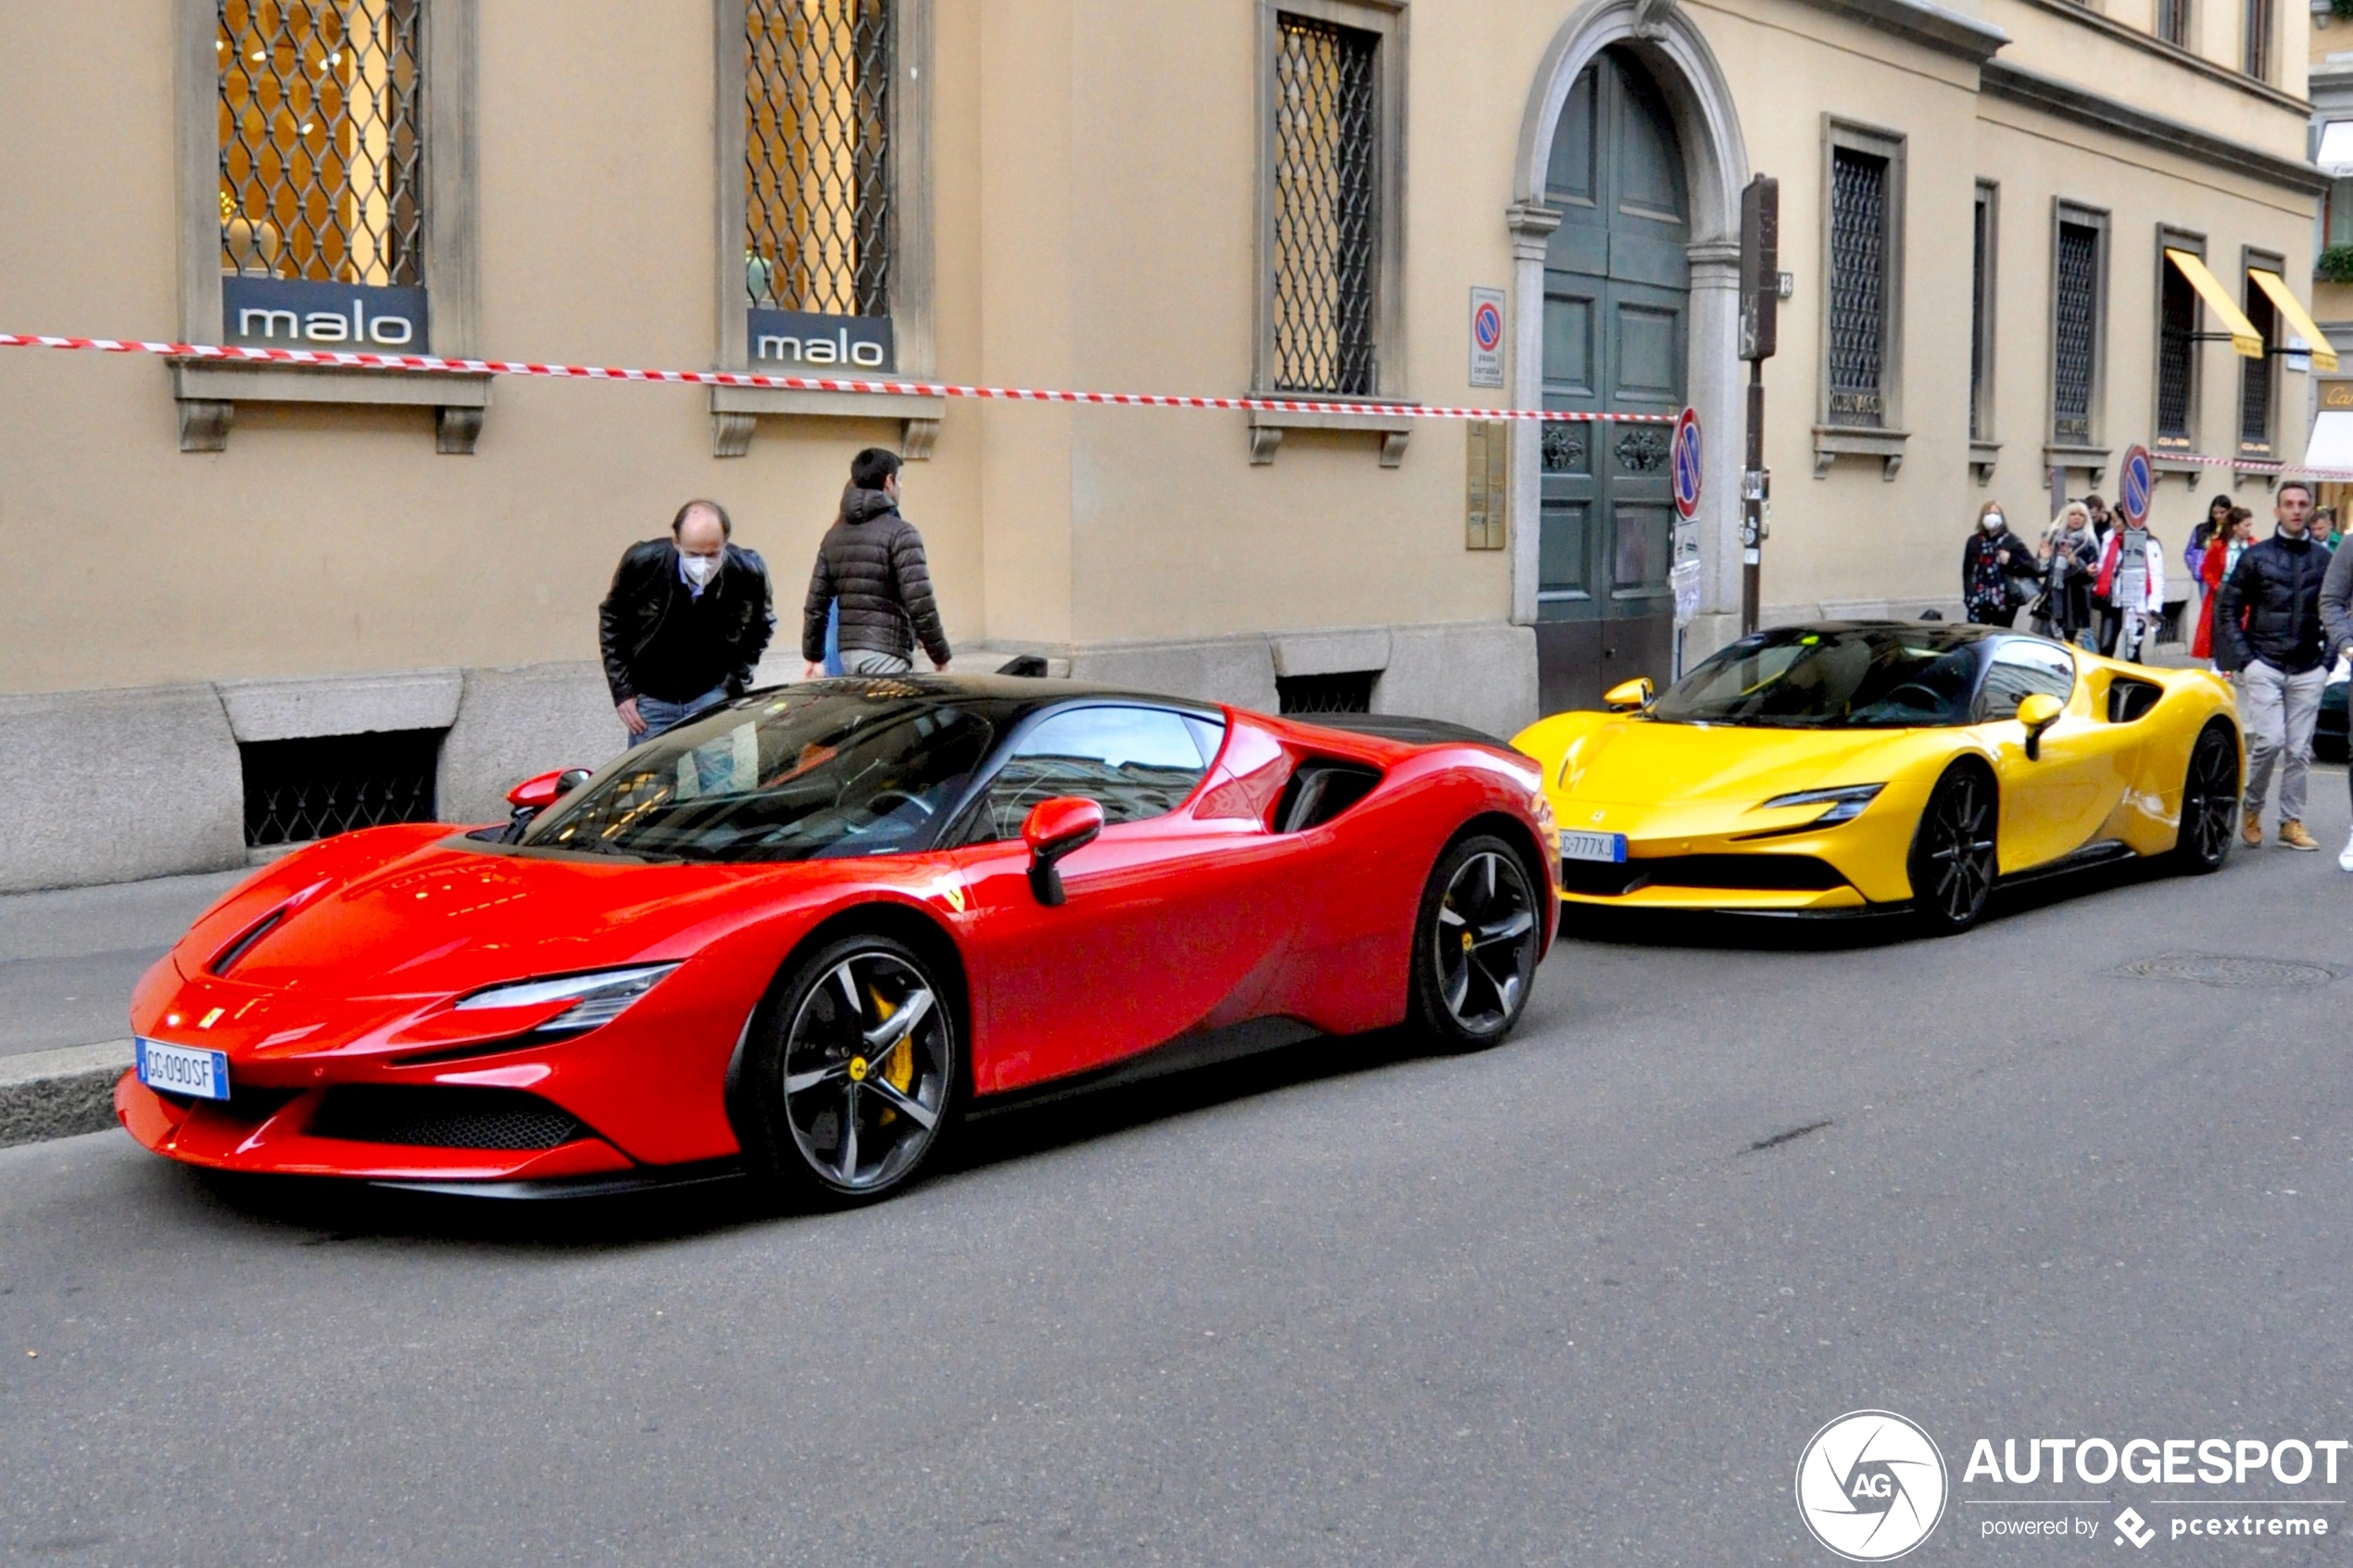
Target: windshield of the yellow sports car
<point>1815,678</point>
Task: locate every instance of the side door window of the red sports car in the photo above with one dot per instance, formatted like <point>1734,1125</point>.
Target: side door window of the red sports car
<point>1135,763</point>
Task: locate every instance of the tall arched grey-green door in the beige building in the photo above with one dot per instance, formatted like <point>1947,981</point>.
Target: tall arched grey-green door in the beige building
<point>1615,328</point>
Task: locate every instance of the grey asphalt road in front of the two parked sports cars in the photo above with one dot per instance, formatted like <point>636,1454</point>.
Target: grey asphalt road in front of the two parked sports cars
<point>1349,1306</point>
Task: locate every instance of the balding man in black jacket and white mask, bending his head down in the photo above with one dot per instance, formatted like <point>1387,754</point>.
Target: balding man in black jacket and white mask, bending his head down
<point>686,622</point>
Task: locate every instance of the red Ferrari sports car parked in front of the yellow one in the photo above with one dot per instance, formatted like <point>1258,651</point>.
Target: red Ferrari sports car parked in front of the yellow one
<point>808,930</point>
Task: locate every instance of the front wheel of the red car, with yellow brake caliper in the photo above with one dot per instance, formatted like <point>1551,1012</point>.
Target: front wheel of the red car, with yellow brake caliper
<point>836,1101</point>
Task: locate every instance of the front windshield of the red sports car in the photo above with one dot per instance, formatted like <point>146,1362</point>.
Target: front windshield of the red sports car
<point>792,777</point>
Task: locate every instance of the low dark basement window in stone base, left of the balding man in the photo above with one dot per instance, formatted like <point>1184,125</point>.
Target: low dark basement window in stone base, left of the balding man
<point>319,786</point>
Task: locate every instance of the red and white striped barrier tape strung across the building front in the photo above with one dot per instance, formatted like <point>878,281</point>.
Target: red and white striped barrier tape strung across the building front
<point>796,384</point>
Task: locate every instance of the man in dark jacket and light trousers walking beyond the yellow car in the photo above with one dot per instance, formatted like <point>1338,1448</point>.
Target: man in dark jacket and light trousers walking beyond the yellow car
<point>2269,638</point>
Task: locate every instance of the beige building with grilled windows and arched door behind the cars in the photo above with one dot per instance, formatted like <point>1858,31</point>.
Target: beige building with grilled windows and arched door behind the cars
<point>258,601</point>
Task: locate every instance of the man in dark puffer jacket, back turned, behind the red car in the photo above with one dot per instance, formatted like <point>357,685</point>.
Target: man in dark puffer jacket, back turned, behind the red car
<point>872,563</point>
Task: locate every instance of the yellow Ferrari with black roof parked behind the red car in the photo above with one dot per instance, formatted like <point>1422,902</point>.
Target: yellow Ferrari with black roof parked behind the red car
<point>1858,768</point>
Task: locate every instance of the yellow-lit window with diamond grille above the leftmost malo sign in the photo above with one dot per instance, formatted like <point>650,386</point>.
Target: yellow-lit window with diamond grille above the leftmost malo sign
<point>321,140</point>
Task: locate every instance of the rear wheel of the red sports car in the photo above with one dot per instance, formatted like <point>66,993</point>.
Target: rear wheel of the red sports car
<point>1477,942</point>
